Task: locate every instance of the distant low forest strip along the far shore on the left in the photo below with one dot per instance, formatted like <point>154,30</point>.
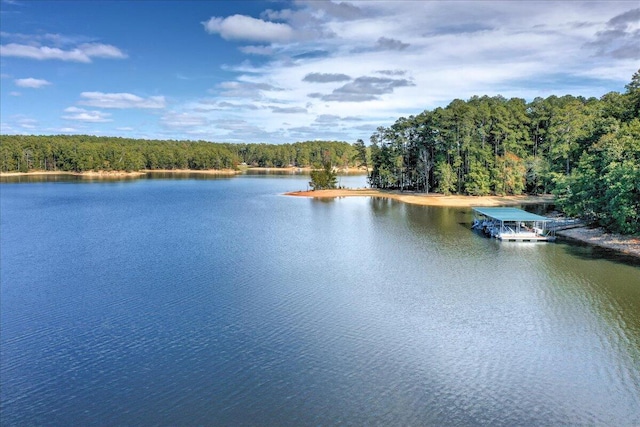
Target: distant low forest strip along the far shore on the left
<point>78,153</point>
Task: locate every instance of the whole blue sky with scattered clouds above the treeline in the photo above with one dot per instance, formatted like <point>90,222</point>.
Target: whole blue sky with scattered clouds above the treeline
<point>287,71</point>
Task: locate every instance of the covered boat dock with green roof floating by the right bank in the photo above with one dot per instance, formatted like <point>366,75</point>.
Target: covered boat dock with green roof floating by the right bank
<point>512,224</point>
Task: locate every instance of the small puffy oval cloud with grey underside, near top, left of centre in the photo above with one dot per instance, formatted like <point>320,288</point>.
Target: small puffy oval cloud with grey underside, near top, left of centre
<point>241,27</point>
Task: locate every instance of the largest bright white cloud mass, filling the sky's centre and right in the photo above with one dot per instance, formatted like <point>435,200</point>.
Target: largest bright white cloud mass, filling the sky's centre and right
<point>398,58</point>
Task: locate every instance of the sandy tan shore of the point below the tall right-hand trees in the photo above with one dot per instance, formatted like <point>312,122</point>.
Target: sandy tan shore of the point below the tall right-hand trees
<point>432,199</point>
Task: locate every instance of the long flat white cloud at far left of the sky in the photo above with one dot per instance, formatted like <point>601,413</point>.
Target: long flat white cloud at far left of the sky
<point>82,53</point>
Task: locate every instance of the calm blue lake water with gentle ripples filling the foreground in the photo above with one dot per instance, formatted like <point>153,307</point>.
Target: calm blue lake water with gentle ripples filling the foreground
<point>222,302</point>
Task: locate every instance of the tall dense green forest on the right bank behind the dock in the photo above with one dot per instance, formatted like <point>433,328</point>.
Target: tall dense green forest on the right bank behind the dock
<point>586,151</point>
